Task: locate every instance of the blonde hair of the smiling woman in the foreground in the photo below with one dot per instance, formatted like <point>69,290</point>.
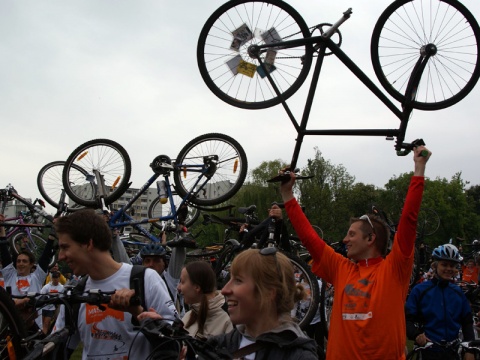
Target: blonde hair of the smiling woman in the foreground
<point>263,270</point>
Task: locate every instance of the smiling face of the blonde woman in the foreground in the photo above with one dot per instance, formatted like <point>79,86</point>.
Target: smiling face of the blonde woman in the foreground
<point>243,305</point>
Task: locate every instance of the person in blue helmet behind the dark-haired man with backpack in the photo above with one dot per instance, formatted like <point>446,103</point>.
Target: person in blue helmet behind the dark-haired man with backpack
<point>154,256</point>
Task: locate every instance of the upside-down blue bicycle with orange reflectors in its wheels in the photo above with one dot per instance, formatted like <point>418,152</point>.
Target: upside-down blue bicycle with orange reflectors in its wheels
<point>208,170</point>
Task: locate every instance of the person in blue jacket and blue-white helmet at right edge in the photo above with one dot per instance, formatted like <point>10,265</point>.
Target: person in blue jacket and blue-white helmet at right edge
<point>437,309</point>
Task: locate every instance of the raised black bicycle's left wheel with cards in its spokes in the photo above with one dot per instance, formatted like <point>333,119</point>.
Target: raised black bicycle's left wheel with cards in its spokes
<point>236,77</point>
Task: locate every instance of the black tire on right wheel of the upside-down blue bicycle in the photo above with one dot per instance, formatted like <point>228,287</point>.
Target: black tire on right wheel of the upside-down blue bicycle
<point>182,191</point>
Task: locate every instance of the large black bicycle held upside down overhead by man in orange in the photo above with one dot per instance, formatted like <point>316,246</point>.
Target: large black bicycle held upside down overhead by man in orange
<point>255,54</point>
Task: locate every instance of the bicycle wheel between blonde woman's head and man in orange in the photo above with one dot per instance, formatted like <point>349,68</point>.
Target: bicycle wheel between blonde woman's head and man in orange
<point>304,310</point>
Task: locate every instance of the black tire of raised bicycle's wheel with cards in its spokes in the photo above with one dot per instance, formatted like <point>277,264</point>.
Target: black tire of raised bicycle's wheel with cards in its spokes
<point>307,60</point>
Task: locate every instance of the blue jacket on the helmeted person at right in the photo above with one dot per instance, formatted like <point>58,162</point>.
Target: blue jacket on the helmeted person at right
<point>438,308</point>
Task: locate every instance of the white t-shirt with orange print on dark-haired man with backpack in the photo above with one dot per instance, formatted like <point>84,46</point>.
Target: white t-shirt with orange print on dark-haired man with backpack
<point>109,334</point>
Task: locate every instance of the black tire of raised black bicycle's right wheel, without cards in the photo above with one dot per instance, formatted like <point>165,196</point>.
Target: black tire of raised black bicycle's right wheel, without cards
<point>374,47</point>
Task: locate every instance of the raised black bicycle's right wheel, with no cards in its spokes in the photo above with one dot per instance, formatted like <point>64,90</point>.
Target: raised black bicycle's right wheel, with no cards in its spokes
<point>401,32</point>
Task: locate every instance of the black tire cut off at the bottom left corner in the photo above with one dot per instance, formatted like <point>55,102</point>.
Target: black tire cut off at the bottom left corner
<point>11,315</point>
